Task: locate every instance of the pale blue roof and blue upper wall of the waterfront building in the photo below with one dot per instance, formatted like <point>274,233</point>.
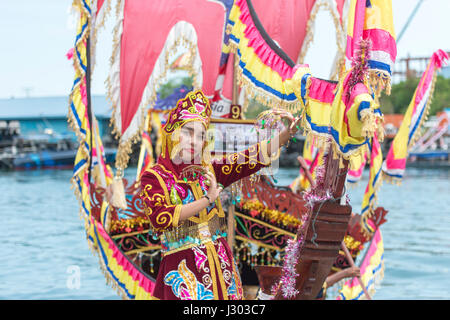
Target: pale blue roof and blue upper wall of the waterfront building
<point>41,114</point>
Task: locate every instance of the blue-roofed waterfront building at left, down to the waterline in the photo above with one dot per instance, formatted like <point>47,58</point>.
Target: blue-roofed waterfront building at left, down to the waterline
<point>35,133</point>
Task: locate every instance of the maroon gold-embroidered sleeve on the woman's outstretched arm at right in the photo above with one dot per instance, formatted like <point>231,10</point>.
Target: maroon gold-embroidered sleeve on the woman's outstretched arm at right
<point>235,166</point>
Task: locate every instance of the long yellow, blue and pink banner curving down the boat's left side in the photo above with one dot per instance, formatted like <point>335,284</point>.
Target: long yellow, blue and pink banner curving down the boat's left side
<point>90,168</point>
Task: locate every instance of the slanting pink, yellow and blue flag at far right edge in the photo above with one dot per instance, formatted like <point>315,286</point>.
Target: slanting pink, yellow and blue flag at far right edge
<point>409,131</point>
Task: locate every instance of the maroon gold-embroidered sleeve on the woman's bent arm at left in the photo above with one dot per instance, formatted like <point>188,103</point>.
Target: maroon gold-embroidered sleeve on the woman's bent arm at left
<point>156,201</point>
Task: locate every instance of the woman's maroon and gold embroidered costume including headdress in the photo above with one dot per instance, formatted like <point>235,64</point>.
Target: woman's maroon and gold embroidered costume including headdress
<point>197,262</point>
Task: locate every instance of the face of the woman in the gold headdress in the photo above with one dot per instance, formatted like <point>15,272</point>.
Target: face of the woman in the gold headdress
<point>192,139</point>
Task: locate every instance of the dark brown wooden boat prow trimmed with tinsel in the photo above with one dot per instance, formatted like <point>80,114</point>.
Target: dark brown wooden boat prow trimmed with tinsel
<point>325,231</point>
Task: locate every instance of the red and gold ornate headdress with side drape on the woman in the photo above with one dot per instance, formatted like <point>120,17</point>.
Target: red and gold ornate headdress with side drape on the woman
<point>194,107</point>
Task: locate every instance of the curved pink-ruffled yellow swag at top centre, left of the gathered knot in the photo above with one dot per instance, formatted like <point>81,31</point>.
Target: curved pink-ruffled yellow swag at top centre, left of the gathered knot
<point>265,71</point>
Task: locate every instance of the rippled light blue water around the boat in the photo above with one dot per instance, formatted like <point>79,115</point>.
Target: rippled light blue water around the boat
<point>44,244</point>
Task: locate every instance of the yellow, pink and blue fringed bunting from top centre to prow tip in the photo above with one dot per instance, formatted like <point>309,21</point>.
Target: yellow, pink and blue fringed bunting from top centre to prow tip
<point>268,74</point>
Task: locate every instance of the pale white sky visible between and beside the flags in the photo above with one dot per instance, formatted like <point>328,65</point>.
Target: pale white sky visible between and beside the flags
<point>36,35</point>
